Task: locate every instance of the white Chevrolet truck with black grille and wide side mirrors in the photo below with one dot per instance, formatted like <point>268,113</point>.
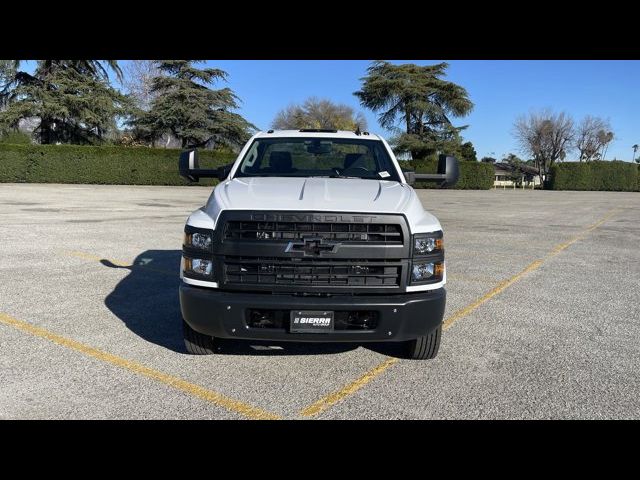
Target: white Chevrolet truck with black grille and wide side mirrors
<point>314,236</point>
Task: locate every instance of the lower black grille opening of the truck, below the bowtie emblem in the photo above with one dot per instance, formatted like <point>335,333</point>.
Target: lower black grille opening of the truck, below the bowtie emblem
<point>310,272</point>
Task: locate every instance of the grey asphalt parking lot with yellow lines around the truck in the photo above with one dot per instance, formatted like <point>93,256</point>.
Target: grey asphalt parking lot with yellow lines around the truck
<point>542,321</point>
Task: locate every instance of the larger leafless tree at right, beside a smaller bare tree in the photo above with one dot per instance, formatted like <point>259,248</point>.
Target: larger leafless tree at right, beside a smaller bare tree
<point>545,136</point>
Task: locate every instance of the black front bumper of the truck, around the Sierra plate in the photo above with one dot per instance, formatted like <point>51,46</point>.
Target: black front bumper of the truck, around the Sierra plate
<point>223,314</point>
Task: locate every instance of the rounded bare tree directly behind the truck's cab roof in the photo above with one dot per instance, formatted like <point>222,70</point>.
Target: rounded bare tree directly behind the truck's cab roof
<point>319,113</point>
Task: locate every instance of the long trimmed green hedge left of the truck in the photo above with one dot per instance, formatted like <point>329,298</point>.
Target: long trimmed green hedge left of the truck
<point>104,165</point>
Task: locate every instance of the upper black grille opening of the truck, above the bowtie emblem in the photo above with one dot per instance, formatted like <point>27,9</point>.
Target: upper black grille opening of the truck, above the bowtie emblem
<point>388,234</point>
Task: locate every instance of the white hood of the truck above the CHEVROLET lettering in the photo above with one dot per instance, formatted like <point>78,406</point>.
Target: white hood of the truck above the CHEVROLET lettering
<point>320,194</point>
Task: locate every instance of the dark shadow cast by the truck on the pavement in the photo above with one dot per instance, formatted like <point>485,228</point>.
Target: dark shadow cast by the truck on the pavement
<point>146,300</point>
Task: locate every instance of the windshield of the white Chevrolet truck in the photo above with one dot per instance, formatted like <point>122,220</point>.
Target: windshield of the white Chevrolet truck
<point>318,157</point>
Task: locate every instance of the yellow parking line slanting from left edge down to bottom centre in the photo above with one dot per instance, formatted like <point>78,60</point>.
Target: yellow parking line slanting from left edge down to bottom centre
<point>215,398</point>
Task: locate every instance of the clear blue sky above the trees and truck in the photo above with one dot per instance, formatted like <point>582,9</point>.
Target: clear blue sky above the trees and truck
<point>500,90</point>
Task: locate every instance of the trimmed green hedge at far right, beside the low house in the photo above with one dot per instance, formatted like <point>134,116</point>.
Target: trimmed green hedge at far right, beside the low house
<point>612,176</point>
